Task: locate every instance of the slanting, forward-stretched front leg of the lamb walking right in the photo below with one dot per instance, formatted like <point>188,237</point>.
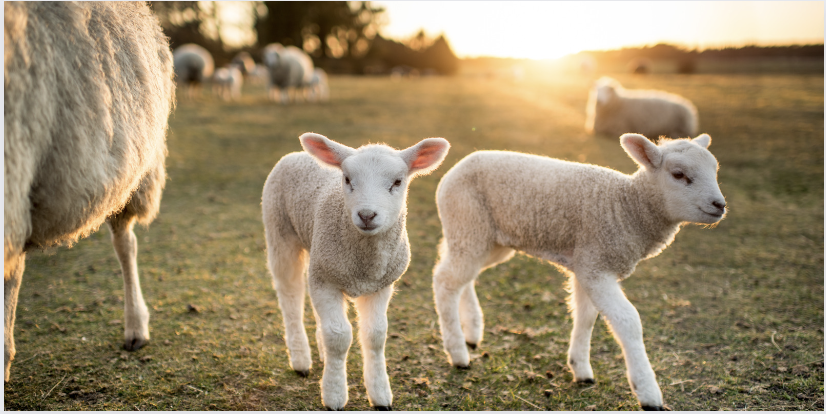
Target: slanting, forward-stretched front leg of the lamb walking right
<point>607,296</point>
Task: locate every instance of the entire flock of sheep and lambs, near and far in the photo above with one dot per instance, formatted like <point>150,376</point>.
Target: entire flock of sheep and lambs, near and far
<point>88,90</point>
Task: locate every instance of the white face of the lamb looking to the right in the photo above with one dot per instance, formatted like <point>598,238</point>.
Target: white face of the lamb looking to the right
<point>688,178</point>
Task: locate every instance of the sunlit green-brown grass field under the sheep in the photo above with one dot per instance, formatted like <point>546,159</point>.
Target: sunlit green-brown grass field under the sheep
<point>732,316</point>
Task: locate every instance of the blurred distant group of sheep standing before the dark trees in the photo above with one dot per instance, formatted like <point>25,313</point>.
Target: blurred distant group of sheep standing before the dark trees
<point>288,73</point>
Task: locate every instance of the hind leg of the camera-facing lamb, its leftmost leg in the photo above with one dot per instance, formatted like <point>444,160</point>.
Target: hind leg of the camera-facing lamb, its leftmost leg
<point>287,264</point>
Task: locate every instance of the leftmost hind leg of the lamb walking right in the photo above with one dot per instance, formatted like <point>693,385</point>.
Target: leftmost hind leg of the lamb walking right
<point>450,277</point>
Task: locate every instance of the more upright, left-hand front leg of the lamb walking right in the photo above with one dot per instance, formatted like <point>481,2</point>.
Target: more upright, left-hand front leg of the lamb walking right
<point>584,314</point>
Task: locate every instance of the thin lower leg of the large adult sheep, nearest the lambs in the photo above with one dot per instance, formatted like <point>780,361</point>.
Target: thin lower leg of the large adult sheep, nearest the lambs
<point>136,314</point>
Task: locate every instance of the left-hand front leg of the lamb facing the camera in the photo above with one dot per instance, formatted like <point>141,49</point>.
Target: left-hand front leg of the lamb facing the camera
<point>337,335</point>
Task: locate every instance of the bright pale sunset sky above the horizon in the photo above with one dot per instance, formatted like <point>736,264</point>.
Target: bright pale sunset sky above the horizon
<point>547,30</point>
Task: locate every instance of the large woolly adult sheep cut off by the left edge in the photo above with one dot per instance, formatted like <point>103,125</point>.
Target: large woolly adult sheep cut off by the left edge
<point>88,90</point>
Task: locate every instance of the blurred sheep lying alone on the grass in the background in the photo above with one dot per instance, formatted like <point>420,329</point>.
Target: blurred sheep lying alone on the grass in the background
<point>613,110</point>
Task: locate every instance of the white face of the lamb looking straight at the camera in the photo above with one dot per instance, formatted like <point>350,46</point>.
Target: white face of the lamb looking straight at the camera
<point>374,182</point>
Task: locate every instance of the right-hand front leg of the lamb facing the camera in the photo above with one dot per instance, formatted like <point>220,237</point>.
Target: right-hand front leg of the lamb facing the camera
<point>372,314</point>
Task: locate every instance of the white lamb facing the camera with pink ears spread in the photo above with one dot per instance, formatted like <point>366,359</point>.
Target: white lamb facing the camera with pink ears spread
<point>341,212</point>
